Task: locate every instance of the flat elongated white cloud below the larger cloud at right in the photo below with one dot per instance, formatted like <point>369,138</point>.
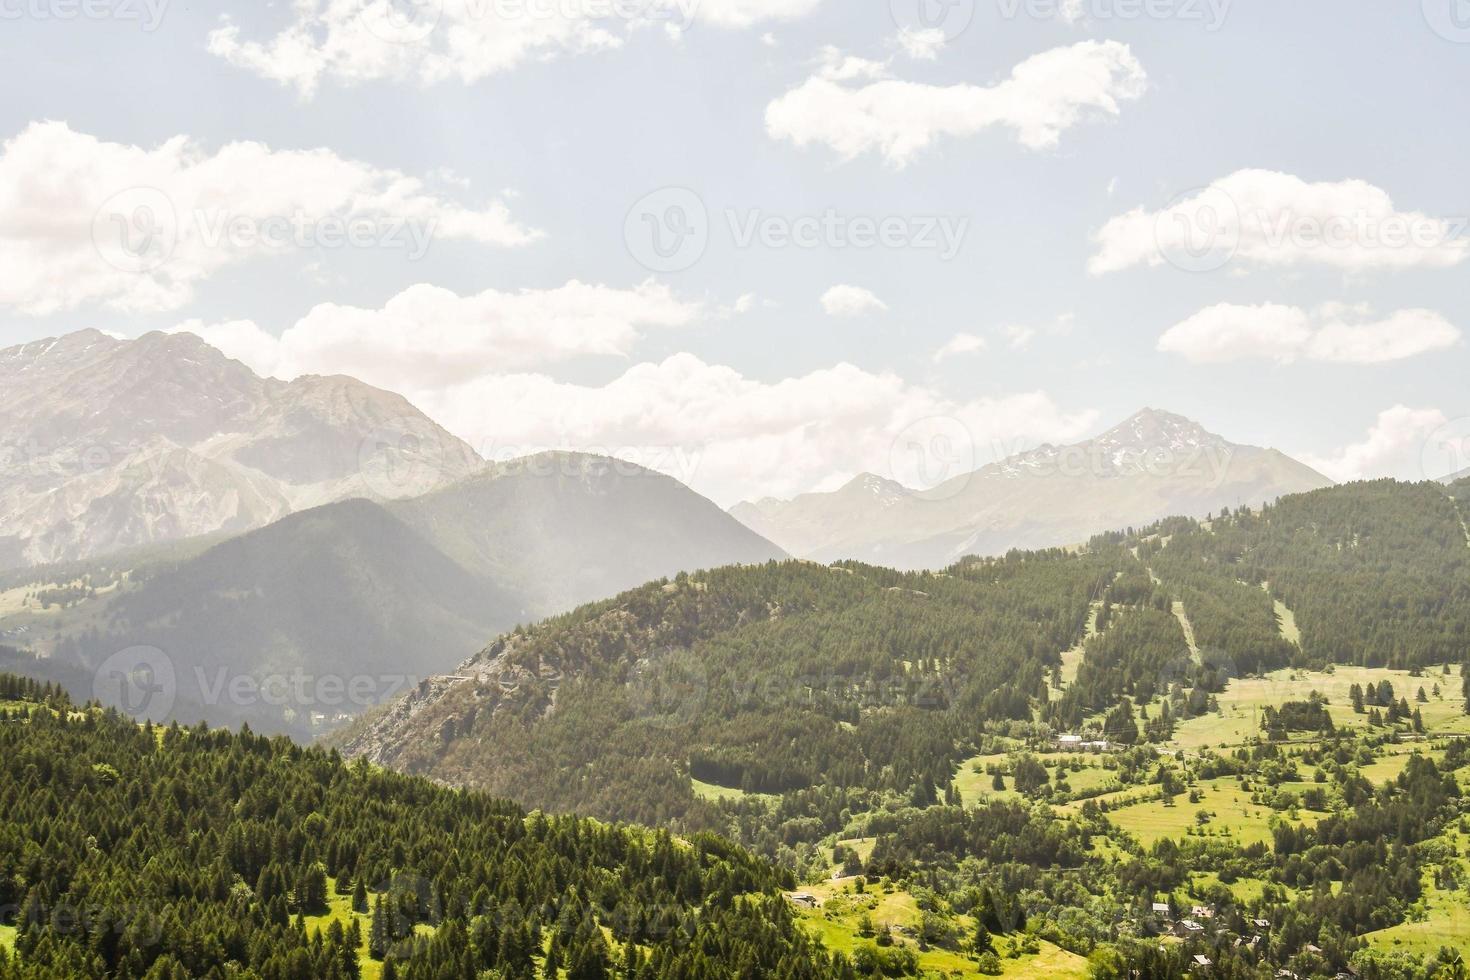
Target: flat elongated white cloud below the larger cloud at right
<point>1286,334</point>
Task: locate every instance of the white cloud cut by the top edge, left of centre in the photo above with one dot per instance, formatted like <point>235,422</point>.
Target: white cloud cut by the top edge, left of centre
<point>364,40</point>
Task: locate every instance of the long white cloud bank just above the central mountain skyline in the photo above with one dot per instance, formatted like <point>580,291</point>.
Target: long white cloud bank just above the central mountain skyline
<point>728,436</point>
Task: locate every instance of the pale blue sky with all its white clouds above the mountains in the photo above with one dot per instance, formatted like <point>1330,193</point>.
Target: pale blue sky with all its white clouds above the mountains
<point>759,245</point>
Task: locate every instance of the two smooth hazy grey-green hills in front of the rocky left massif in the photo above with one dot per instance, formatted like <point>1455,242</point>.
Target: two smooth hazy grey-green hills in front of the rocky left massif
<point>381,594</point>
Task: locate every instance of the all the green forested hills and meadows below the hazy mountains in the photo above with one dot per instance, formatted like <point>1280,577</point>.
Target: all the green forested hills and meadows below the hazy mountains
<point>1259,775</point>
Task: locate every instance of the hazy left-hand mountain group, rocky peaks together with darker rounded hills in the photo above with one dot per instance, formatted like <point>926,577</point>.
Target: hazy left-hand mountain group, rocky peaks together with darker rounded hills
<point>249,531</point>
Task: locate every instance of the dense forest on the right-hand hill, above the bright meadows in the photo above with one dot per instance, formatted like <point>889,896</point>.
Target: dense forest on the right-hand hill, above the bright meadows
<point>795,677</point>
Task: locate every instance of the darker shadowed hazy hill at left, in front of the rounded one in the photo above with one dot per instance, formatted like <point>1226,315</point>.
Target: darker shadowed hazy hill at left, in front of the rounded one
<point>339,593</point>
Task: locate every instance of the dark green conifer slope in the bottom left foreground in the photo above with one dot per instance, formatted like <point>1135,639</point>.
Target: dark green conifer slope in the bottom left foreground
<point>184,853</point>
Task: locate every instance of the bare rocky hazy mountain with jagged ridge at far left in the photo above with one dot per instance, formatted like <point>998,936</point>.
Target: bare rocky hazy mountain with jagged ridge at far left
<point>110,444</point>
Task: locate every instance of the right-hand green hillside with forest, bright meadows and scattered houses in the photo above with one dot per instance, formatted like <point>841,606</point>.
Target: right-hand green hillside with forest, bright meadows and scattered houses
<point>1244,734</point>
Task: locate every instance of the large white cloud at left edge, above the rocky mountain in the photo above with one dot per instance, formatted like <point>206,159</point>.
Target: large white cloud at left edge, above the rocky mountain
<point>89,223</point>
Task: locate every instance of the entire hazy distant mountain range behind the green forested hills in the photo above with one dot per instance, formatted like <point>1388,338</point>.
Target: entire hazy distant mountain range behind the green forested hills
<point>168,499</point>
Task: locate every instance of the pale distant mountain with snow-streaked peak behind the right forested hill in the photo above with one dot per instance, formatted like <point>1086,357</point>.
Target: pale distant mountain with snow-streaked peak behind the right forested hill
<point>1152,466</point>
